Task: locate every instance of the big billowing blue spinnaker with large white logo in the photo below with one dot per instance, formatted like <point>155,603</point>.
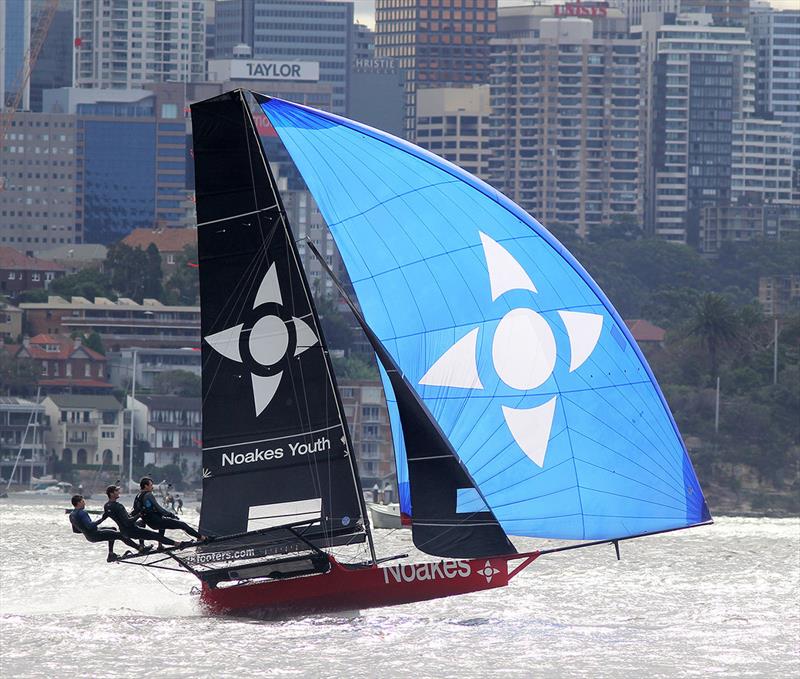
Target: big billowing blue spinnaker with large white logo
<point>518,355</point>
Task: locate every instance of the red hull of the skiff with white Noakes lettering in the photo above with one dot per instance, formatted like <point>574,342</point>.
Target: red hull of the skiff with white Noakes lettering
<point>346,588</point>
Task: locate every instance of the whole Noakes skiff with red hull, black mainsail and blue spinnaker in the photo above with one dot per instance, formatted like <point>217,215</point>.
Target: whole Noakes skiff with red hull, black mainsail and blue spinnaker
<point>519,402</point>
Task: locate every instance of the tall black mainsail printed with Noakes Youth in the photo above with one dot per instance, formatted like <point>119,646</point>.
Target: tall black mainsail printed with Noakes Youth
<point>275,441</point>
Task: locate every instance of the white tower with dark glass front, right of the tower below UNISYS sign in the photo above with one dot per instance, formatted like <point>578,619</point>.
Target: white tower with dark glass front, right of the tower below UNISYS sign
<point>702,79</point>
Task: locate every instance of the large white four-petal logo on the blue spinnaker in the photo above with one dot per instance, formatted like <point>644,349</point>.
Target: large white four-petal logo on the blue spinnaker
<point>523,352</point>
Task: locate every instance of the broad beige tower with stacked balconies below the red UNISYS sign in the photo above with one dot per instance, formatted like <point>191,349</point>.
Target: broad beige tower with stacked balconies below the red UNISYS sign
<point>567,117</point>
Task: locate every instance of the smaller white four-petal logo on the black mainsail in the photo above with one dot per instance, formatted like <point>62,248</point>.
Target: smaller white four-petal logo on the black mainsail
<point>268,341</point>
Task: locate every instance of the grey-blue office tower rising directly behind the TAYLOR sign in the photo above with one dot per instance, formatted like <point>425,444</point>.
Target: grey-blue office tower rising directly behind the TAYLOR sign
<point>291,30</point>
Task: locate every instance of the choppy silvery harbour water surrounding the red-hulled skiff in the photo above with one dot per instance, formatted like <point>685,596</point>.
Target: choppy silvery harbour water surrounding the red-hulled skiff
<point>720,601</point>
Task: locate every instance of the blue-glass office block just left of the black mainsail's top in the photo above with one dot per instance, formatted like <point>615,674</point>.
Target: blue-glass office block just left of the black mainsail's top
<point>130,156</point>
